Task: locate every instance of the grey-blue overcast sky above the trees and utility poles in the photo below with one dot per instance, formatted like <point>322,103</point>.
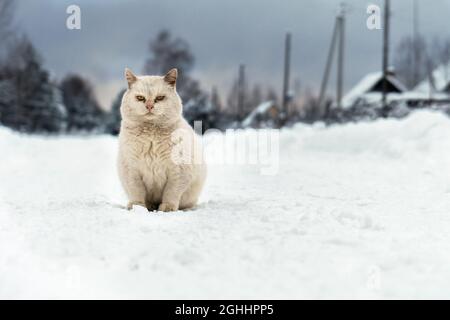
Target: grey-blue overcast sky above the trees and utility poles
<point>222,34</point>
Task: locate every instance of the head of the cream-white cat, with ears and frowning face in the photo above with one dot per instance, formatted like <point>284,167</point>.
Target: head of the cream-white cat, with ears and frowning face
<point>151,99</point>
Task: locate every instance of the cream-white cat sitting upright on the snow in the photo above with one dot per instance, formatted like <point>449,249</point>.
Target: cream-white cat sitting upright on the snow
<point>160,164</point>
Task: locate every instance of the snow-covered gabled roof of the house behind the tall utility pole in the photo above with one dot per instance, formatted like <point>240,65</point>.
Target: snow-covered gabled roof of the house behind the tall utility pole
<point>369,84</point>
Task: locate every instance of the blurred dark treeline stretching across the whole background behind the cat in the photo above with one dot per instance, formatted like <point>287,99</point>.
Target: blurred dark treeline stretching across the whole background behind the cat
<point>32,101</point>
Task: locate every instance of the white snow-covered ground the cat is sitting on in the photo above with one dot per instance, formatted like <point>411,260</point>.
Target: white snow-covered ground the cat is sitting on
<point>355,211</point>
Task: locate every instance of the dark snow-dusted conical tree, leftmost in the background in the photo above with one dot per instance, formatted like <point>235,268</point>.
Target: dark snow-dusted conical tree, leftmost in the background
<point>29,101</point>
